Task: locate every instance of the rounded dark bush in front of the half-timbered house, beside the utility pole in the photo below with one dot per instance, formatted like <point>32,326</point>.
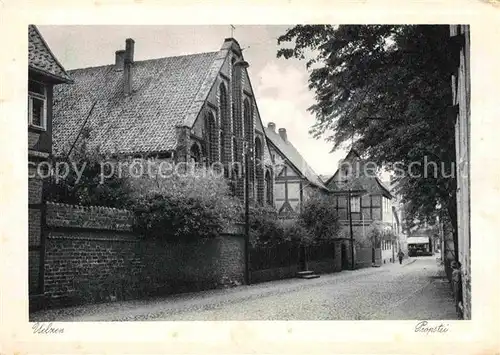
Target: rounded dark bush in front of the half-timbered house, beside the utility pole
<point>320,217</point>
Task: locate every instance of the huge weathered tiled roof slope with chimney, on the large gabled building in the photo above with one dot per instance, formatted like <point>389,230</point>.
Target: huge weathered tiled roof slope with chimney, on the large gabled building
<point>167,92</point>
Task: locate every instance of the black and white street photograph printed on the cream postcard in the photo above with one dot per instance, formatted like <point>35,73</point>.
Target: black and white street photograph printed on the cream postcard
<point>249,172</point>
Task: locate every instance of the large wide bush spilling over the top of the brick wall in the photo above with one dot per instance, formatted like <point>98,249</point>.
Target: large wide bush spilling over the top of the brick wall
<point>195,204</point>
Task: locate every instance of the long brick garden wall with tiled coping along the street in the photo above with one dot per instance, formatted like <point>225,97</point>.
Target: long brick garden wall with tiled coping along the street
<point>92,256</point>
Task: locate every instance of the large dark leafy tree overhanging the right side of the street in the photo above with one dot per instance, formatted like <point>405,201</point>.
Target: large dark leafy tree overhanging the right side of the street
<point>387,89</point>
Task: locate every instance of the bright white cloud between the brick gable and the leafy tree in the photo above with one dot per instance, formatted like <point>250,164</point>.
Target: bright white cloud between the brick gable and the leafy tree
<point>283,98</point>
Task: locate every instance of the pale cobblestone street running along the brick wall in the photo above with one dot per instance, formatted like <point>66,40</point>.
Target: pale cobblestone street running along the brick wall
<point>415,290</point>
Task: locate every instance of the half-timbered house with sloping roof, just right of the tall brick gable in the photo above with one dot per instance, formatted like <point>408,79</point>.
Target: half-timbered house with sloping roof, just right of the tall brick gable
<point>295,180</point>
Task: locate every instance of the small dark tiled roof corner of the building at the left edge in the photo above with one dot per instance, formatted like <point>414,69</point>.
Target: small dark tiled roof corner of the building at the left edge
<point>41,59</point>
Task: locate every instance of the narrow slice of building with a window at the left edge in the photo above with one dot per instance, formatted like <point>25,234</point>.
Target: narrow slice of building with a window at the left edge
<point>44,72</point>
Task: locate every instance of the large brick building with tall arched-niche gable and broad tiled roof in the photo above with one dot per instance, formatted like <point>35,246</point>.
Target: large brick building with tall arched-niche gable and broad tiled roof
<point>198,107</point>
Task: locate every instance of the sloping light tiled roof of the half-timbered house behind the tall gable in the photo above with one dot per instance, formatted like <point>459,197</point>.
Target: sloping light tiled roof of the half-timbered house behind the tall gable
<point>293,155</point>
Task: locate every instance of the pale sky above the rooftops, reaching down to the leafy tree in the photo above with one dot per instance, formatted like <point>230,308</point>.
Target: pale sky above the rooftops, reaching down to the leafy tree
<point>280,85</point>
